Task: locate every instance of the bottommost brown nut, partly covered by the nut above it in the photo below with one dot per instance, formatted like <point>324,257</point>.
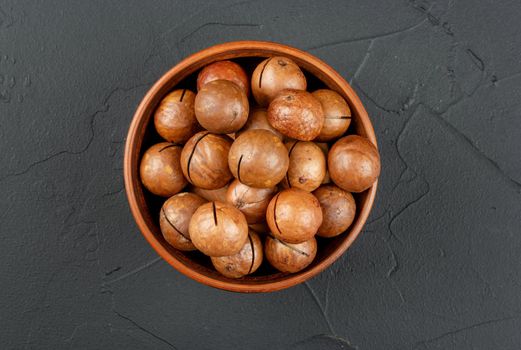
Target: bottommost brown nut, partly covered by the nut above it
<point>245,262</point>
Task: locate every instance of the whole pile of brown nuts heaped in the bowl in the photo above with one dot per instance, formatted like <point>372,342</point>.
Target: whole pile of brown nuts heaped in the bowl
<point>262,181</point>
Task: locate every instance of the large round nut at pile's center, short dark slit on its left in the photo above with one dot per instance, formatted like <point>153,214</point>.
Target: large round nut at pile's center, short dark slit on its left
<point>258,159</point>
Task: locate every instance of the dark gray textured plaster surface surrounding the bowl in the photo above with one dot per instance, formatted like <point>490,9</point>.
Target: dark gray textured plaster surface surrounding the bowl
<point>437,267</point>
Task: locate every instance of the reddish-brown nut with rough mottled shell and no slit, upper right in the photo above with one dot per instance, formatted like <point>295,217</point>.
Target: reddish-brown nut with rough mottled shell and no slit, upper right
<point>296,114</point>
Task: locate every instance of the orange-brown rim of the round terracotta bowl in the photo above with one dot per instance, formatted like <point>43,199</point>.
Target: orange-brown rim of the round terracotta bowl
<point>130,177</point>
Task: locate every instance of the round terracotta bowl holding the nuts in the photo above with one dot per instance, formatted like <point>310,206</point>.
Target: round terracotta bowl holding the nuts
<point>145,207</point>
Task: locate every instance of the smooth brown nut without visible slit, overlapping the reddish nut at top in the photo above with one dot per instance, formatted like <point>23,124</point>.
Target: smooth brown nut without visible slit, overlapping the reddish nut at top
<point>221,107</point>
